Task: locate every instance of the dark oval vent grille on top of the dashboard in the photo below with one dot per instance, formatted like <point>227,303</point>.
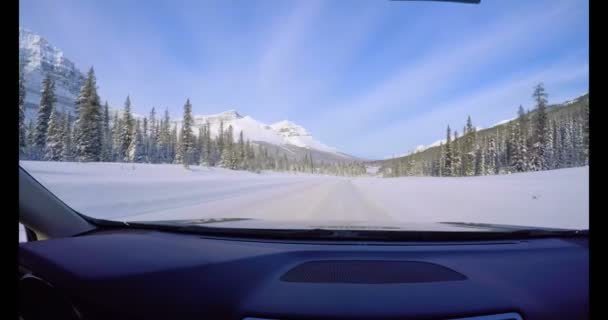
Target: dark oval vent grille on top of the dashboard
<point>370,272</point>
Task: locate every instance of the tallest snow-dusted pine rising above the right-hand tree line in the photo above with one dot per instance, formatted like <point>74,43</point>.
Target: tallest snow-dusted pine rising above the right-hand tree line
<point>538,161</point>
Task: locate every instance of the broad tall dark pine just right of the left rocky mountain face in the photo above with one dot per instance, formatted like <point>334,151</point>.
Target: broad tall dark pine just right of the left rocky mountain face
<point>89,134</point>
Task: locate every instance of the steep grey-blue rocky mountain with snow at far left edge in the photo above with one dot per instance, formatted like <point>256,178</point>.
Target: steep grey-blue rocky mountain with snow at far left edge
<point>39,58</point>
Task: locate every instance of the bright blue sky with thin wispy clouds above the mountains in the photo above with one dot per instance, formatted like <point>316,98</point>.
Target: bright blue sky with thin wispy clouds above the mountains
<point>369,77</point>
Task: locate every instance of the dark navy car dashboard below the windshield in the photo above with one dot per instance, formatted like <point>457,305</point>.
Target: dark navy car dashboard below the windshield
<point>150,274</point>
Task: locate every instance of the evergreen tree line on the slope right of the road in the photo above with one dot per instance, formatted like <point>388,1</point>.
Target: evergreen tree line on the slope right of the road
<point>531,142</point>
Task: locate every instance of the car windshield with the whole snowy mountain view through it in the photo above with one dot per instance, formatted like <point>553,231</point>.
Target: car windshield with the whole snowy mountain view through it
<point>374,115</point>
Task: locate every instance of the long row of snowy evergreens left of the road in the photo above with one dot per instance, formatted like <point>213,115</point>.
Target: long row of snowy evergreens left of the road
<point>92,134</point>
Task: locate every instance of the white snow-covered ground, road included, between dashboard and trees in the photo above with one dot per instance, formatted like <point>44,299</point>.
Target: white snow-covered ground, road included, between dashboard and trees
<point>131,192</point>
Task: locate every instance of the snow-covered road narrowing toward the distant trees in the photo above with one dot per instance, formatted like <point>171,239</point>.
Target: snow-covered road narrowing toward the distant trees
<point>324,198</point>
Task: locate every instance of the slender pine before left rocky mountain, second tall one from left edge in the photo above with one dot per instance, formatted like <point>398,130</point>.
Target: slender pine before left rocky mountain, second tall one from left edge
<point>47,100</point>
